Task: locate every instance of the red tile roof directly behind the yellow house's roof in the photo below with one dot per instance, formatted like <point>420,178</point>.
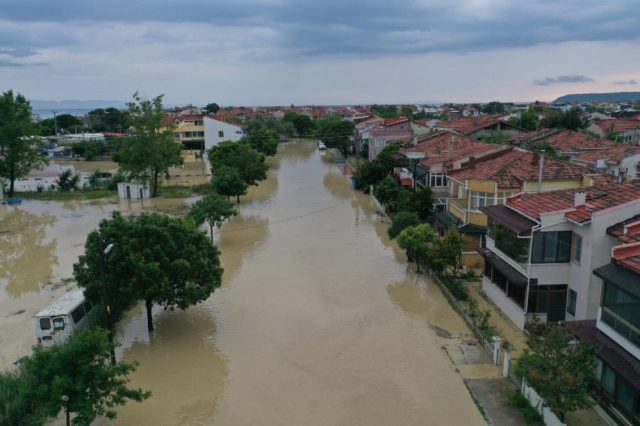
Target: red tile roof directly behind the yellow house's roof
<point>438,147</point>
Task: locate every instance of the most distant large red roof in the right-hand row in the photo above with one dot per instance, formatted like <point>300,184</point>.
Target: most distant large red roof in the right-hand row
<point>481,127</point>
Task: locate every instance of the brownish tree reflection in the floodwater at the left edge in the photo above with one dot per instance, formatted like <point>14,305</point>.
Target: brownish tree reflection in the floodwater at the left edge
<point>26,259</point>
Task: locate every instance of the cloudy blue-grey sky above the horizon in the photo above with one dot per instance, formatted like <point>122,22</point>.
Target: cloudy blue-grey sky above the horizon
<point>278,52</point>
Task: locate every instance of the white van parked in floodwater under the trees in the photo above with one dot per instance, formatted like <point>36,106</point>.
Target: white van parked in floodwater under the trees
<point>55,324</point>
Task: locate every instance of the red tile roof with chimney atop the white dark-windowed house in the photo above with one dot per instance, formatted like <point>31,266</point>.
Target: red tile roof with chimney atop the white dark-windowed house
<point>599,198</point>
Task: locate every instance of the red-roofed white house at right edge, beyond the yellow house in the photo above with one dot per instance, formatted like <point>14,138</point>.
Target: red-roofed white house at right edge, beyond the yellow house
<point>621,161</point>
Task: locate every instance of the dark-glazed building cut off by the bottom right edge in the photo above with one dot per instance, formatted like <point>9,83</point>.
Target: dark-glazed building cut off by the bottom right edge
<point>615,333</point>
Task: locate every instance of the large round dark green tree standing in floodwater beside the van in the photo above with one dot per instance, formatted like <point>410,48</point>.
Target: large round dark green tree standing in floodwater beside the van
<point>155,258</point>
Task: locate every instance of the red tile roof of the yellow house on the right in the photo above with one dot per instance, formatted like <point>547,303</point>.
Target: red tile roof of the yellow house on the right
<point>511,169</point>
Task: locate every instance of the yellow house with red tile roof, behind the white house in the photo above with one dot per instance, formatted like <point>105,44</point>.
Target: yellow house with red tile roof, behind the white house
<point>491,180</point>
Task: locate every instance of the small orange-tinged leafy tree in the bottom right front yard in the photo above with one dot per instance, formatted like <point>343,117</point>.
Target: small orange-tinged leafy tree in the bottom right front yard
<point>560,368</point>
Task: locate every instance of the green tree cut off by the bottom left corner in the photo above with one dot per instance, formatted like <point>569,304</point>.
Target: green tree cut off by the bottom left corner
<point>16,408</point>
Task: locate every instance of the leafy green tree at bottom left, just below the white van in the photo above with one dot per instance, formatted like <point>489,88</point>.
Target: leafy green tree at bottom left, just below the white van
<point>76,378</point>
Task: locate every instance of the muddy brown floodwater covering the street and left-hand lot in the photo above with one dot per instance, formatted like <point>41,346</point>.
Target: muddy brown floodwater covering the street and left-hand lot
<point>320,321</point>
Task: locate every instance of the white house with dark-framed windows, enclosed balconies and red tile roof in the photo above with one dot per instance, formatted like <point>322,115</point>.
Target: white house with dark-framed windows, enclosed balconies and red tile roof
<point>541,248</point>
